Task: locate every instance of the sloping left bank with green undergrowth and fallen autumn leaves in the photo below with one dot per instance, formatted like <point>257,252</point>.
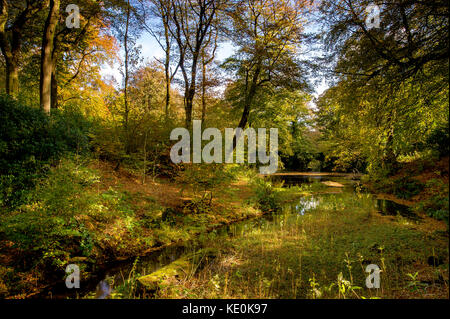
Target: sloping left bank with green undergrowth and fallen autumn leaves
<point>81,212</point>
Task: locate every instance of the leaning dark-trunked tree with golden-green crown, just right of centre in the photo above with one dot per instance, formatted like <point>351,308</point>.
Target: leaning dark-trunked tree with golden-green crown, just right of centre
<point>268,34</point>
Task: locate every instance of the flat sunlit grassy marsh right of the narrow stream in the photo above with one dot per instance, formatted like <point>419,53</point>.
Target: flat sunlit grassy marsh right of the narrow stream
<point>323,254</point>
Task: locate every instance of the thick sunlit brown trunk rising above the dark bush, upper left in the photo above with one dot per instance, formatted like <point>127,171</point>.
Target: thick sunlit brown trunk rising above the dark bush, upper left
<point>47,62</point>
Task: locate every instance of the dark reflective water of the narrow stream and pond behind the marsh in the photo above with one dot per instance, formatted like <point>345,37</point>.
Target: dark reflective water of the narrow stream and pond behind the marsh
<point>116,276</point>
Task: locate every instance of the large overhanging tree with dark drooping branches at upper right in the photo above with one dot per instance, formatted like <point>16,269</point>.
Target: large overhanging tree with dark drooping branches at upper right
<point>386,78</point>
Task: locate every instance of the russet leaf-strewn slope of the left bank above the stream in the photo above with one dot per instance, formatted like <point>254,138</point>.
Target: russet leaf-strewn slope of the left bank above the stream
<point>123,218</point>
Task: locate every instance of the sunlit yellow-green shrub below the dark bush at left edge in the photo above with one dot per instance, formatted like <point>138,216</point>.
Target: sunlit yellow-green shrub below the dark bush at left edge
<point>47,225</point>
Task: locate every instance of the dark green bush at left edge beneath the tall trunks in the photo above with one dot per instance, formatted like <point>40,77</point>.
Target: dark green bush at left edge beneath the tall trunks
<point>29,142</point>
